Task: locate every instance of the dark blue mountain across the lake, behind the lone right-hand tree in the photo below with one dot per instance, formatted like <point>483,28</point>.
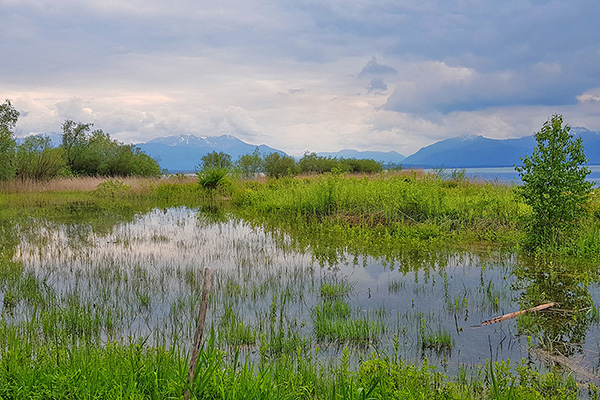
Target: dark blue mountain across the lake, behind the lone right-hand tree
<point>478,151</point>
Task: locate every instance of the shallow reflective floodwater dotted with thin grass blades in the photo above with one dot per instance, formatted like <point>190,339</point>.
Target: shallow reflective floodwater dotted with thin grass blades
<point>147,274</point>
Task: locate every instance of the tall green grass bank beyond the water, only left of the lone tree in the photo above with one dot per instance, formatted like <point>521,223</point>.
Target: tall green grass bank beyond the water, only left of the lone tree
<point>423,209</point>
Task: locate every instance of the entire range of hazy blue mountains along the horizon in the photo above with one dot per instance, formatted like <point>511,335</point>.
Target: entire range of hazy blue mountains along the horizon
<point>184,152</point>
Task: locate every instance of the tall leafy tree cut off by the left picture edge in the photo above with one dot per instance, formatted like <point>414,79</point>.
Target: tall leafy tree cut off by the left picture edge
<point>8,121</point>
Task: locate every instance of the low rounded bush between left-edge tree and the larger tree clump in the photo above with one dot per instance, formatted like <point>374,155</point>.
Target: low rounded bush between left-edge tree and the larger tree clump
<point>36,159</point>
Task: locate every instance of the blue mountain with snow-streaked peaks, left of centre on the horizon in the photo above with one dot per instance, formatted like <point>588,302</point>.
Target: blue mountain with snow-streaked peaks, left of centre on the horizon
<point>182,153</point>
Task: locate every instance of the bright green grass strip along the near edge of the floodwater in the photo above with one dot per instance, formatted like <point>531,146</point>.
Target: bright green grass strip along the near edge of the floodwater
<point>33,370</point>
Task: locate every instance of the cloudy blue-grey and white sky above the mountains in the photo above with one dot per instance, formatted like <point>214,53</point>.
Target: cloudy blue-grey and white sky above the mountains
<point>302,75</point>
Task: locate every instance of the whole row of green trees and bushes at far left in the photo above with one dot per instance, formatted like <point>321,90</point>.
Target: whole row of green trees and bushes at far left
<point>84,151</point>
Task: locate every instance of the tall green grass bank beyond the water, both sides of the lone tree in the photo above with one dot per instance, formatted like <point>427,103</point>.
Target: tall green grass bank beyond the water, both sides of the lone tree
<point>389,207</point>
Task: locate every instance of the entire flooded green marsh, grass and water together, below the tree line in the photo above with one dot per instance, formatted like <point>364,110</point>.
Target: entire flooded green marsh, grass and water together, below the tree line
<point>333,286</point>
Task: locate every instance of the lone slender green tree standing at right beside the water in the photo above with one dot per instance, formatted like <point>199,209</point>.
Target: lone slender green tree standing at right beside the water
<point>554,184</point>
